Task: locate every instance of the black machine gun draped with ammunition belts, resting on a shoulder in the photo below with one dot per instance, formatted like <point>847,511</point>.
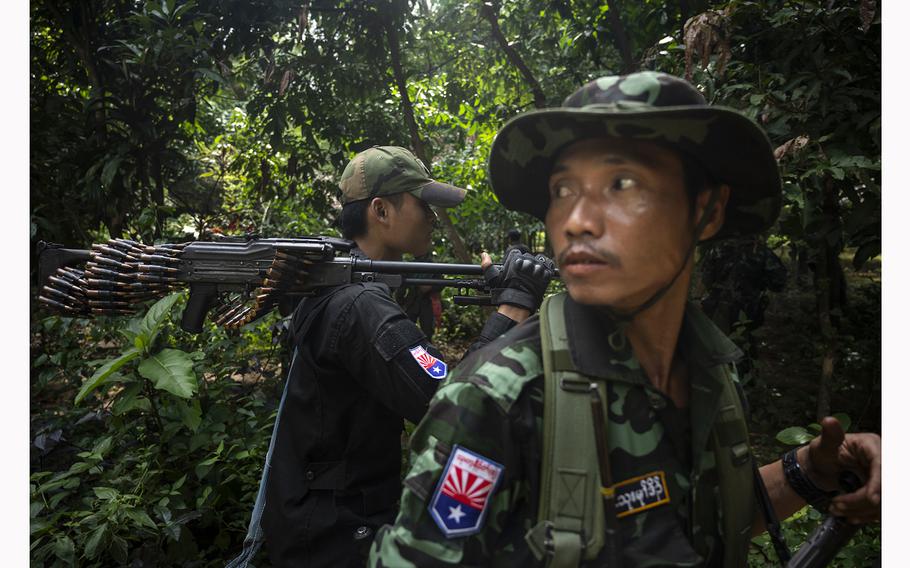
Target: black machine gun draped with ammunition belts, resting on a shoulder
<point>237,279</point>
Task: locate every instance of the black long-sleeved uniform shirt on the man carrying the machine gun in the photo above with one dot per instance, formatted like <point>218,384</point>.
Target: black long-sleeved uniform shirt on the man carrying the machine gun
<point>335,468</point>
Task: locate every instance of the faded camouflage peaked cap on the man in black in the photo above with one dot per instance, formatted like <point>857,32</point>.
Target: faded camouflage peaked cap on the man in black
<point>387,170</point>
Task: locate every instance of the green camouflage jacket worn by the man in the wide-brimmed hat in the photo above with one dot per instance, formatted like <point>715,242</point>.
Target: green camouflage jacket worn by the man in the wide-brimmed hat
<point>492,406</point>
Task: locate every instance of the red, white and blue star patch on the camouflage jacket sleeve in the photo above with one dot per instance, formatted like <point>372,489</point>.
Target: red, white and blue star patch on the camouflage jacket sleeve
<point>461,500</point>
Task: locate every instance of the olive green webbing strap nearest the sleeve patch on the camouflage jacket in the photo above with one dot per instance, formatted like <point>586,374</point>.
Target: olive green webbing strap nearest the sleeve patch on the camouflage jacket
<point>571,515</point>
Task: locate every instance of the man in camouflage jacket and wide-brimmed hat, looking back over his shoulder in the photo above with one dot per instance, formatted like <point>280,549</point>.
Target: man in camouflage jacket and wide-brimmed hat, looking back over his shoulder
<point>629,175</point>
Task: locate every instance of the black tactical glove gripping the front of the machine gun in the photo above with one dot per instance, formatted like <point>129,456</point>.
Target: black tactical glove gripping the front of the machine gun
<point>521,281</point>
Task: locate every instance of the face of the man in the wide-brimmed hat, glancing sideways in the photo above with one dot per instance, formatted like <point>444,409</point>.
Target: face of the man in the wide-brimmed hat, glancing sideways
<point>619,219</point>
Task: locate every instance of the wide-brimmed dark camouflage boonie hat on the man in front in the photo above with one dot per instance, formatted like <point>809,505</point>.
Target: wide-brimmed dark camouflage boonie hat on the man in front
<point>648,106</point>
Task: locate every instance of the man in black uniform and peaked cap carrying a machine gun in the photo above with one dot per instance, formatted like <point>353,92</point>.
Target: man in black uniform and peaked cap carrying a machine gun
<point>360,367</point>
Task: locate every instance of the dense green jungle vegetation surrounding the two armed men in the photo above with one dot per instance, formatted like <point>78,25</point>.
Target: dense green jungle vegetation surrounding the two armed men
<point>171,120</point>
